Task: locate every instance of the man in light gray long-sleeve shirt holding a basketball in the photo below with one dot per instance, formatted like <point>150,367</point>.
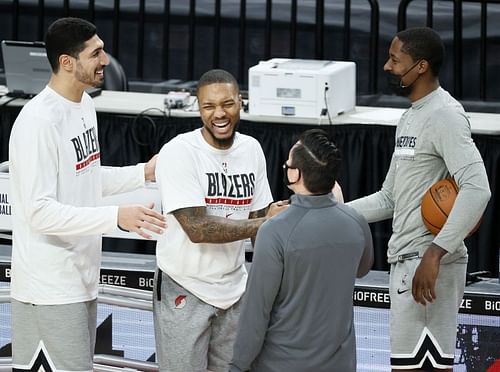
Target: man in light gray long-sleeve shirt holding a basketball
<point>433,141</point>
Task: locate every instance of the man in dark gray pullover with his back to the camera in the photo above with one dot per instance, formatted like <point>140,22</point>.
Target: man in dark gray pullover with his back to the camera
<point>297,313</point>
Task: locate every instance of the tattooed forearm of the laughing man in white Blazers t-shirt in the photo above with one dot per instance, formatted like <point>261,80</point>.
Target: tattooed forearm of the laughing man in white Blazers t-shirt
<point>202,228</point>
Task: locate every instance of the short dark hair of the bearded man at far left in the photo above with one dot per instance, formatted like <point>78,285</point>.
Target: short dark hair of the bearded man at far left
<point>67,36</point>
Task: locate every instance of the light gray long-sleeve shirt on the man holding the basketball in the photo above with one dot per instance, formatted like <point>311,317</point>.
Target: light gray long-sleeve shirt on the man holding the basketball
<point>433,141</point>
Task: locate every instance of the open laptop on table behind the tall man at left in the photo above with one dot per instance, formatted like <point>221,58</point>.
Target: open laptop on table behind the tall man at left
<point>27,69</point>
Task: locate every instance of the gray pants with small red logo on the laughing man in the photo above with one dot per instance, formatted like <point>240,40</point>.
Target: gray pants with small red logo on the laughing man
<point>191,335</point>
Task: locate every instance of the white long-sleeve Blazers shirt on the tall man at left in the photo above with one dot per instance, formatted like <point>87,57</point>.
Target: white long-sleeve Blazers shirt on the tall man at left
<point>56,187</point>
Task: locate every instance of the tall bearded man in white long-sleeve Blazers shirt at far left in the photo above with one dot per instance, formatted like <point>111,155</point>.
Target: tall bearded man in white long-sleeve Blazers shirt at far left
<point>57,184</point>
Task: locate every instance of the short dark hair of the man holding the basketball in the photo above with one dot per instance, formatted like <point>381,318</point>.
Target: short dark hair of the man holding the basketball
<point>423,43</point>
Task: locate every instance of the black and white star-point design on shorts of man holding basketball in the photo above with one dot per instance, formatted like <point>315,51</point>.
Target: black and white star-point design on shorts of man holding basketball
<point>427,352</point>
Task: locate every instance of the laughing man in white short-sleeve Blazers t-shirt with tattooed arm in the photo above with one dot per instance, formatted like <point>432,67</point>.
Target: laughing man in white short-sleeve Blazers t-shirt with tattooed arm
<point>215,194</point>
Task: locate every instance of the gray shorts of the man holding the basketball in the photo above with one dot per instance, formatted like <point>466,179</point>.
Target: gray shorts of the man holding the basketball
<point>424,336</point>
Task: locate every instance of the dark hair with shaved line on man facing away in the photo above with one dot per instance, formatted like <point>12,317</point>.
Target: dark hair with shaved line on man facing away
<point>318,159</point>
